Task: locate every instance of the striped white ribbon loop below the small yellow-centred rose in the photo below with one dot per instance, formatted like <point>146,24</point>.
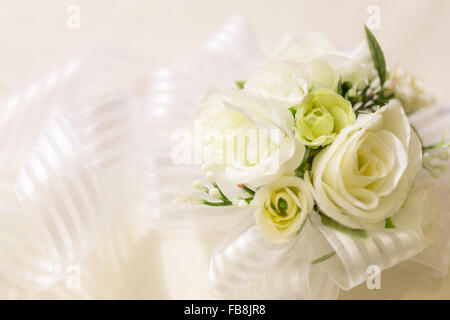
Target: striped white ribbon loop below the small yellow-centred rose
<point>245,266</point>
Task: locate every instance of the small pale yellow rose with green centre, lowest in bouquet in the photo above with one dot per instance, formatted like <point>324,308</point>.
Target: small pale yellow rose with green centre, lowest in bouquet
<point>282,208</point>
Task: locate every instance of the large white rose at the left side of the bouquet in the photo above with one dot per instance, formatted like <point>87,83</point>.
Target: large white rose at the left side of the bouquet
<point>246,139</point>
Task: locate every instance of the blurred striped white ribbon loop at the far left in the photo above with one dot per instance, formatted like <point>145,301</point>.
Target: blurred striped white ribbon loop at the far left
<point>58,137</point>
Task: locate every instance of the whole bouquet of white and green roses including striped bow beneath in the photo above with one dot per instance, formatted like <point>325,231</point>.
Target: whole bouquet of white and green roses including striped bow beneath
<point>320,135</point>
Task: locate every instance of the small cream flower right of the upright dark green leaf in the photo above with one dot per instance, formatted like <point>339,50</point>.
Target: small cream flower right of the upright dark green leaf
<point>409,90</point>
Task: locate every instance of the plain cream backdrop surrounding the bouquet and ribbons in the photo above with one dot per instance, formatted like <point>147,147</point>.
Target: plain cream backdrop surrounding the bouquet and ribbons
<point>168,265</point>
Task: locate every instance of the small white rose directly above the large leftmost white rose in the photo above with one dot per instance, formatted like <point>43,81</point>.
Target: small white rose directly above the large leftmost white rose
<point>281,80</point>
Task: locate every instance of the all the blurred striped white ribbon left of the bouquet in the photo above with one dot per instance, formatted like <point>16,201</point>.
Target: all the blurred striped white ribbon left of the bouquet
<point>60,135</point>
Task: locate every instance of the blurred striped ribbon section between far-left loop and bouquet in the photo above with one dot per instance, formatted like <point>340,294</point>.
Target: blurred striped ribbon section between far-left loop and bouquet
<point>231,54</point>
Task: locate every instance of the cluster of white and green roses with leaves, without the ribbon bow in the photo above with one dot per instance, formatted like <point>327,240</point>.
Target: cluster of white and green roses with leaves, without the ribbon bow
<point>344,146</point>
